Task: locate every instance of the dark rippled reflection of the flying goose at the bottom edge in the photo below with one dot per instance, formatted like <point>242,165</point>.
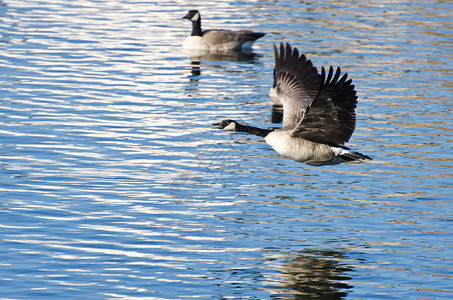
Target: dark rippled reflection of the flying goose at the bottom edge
<point>316,274</point>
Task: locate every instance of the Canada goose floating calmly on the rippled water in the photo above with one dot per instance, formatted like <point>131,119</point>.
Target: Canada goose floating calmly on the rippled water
<point>217,39</point>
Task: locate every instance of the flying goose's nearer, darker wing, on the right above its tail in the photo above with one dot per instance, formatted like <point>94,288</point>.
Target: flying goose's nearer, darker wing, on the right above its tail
<point>330,119</point>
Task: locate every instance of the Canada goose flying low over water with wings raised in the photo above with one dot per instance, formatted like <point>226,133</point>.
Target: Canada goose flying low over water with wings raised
<point>318,112</point>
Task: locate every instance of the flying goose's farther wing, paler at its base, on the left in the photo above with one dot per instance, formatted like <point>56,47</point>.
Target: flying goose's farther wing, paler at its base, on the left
<point>296,84</point>
